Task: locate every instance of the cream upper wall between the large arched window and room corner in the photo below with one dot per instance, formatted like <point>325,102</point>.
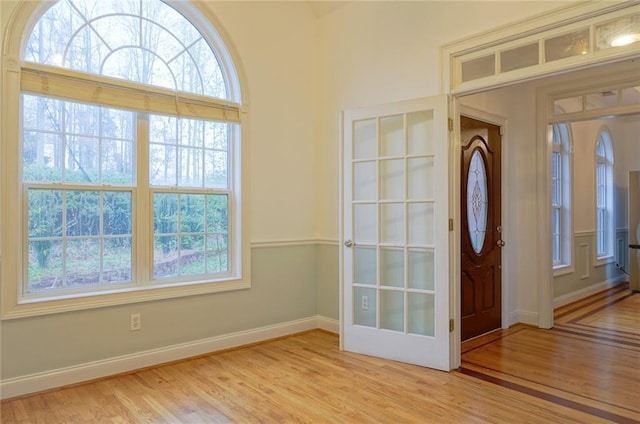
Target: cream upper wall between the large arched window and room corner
<point>277,45</point>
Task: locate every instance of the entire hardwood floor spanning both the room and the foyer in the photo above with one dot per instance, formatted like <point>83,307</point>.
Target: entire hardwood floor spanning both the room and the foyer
<point>579,372</point>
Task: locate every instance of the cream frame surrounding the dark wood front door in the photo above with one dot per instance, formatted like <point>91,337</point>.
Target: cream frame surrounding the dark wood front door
<point>507,254</point>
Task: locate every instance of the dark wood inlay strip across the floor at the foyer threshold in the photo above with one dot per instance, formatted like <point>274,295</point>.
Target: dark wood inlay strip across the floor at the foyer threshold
<point>549,397</point>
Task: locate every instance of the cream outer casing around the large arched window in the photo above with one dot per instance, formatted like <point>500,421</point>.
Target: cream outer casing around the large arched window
<point>14,303</point>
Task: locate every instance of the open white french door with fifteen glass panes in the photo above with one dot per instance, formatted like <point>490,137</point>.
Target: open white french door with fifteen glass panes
<point>395,251</point>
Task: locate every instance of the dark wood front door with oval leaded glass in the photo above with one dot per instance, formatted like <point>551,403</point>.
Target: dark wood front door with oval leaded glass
<point>481,276</point>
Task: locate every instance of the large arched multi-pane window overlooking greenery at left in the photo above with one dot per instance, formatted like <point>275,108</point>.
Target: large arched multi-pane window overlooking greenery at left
<point>130,155</point>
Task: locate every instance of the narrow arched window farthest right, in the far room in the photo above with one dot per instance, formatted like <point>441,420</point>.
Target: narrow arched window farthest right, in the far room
<point>604,196</point>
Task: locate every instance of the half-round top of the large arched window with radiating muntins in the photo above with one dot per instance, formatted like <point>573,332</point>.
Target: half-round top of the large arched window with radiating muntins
<point>142,41</point>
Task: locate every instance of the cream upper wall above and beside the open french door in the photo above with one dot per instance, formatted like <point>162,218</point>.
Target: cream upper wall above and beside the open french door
<point>378,52</point>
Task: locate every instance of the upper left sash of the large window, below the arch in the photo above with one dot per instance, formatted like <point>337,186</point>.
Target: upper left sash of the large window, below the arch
<point>76,142</point>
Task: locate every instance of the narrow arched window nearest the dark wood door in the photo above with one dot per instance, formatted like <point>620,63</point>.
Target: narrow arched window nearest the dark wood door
<point>561,237</point>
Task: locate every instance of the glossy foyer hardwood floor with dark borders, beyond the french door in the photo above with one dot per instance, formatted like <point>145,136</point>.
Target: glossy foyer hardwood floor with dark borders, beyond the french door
<point>589,361</point>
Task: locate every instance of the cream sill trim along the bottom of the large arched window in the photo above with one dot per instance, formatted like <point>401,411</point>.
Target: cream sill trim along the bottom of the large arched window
<point>75,302</point>
